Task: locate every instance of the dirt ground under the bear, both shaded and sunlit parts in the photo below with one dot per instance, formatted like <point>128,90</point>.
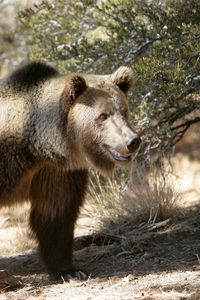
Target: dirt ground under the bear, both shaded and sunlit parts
<point>157,264</point>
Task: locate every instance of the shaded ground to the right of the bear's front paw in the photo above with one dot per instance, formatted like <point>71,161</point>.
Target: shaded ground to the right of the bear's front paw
<point>176,247</point>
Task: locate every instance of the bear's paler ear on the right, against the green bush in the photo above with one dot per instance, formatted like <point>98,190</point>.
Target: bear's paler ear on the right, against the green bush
<point>123,78</point>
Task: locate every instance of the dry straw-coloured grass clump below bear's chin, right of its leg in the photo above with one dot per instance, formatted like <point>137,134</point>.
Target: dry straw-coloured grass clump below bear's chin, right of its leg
<point>146,197</point>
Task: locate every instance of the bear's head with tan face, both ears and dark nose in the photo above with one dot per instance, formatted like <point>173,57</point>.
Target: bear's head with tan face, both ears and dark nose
<point>98,119</point>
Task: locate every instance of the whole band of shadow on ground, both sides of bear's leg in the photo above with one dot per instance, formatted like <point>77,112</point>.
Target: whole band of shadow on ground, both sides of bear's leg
<point>176,247</point>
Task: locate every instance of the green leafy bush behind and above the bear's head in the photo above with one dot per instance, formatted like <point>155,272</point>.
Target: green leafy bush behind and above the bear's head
<point>160,40</point>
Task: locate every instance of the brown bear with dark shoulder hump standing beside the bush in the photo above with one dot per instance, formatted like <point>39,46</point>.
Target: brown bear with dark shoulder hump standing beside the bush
<point>53,129</point>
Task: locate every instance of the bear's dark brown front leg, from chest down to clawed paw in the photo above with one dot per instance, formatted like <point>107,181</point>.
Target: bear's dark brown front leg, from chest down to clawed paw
<point>53,216</point>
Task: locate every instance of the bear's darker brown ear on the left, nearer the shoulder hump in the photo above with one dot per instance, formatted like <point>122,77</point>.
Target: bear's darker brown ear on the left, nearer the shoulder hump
<point>75,85</point>
